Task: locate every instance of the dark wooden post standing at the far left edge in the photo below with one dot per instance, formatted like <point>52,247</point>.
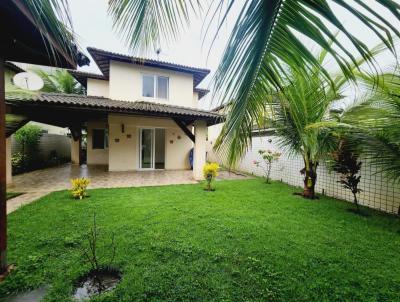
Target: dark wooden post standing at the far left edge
<point>3,174</point>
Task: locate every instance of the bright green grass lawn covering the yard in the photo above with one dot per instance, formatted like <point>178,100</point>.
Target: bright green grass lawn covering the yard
<point>247,241</point>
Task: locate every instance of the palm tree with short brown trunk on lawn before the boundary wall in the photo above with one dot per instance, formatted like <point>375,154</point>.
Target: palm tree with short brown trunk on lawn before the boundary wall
<point>304,101</point>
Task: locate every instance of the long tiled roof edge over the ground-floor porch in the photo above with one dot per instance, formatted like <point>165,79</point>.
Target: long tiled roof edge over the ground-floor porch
<point>72,101</point>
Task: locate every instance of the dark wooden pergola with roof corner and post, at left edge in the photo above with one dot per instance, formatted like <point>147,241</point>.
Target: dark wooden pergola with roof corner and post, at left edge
<point>22,40</point>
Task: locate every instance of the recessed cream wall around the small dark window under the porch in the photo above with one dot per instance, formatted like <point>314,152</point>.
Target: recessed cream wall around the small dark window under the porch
<point>96,156</point>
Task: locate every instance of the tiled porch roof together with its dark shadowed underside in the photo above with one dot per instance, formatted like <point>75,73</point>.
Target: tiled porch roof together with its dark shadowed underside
<point>66,110</point>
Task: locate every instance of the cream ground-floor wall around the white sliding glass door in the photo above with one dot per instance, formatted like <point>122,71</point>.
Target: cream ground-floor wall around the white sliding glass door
<point>124,147</point>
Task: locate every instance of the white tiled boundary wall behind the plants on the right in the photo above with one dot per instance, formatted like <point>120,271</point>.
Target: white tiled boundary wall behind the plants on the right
<point>377,191</point>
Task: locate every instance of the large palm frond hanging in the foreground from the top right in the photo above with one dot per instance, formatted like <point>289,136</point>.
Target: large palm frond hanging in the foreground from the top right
<point>264,43</point>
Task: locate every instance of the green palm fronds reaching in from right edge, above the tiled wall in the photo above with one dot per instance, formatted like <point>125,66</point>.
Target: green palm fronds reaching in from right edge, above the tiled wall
<point>372,122</point>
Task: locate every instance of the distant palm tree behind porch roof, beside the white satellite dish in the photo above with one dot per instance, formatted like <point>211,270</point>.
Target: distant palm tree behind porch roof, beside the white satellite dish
<point>59,81</point>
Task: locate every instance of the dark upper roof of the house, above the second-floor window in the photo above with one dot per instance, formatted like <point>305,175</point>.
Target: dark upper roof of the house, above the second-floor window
<point>103,58</point>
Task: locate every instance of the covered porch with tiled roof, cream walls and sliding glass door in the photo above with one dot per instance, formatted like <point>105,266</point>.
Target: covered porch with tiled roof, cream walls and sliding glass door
<point>116,131</point>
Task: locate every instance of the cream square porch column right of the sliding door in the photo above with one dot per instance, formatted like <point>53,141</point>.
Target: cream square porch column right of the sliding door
<point>199,156</point>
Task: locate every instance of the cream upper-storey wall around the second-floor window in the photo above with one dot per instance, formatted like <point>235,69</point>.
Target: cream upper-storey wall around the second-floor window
<point>126,84</point>
